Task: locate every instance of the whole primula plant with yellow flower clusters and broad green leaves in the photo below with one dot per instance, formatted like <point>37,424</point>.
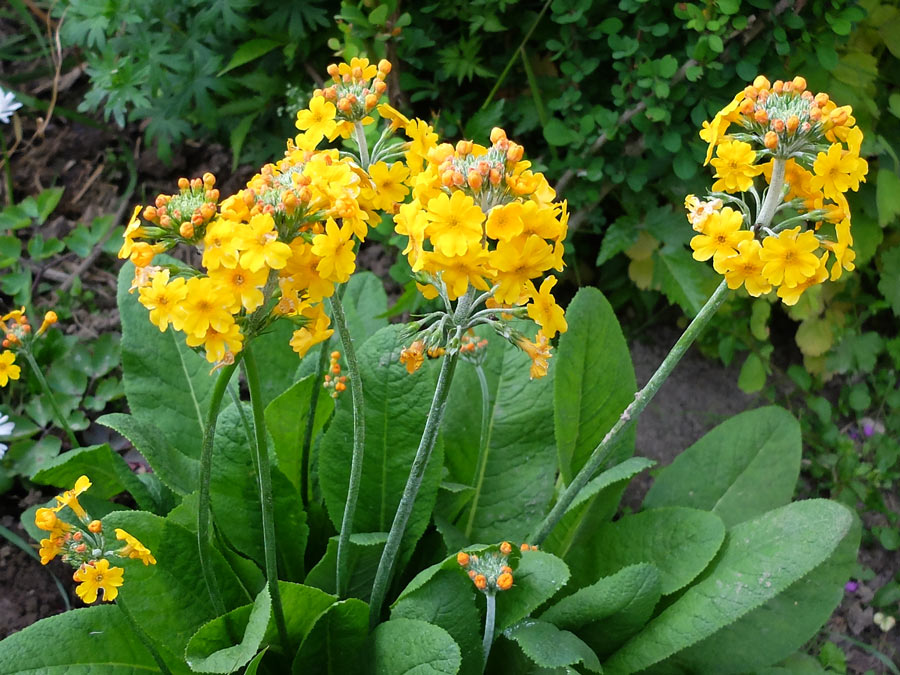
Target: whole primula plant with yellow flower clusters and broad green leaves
<point>455,512</point>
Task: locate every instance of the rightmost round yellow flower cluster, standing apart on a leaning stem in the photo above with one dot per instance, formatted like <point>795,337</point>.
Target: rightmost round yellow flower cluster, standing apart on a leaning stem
<point>803,150</point>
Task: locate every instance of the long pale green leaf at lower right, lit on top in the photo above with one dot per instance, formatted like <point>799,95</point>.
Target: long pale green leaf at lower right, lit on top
<point>762,559</point>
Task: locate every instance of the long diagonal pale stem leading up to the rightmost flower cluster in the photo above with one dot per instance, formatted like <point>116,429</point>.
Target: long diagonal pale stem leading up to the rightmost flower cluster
<point>601,453</point>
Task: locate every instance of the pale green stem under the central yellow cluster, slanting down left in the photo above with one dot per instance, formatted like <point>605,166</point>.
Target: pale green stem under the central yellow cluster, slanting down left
<point>416,473</point>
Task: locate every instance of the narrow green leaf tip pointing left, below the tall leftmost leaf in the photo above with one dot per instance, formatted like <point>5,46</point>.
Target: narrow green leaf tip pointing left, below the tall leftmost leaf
<point>180,472</point>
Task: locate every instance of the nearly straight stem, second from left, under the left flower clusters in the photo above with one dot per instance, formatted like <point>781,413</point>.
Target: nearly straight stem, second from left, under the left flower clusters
<point>264,476</point>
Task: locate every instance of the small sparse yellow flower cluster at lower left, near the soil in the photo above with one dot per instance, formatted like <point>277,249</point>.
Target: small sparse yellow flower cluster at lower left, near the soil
<point>85,547</point>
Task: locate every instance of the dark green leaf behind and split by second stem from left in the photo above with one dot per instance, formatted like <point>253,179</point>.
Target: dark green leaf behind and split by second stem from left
<point>235,497</point>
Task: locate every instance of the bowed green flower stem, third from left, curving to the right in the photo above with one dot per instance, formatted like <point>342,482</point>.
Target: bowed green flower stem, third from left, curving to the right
<point>359,445</point>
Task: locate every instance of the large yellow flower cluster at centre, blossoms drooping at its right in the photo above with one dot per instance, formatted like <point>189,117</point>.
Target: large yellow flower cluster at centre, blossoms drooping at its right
<point>481,219</point>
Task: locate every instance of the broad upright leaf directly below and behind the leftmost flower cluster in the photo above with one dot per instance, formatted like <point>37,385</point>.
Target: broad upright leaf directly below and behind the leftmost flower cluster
<point>167,384</point>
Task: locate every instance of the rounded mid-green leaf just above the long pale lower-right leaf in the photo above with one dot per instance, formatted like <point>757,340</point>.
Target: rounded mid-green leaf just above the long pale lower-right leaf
<point>679,541</point>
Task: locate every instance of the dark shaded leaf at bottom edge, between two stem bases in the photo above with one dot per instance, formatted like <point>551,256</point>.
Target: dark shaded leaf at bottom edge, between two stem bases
<point>336,640</point>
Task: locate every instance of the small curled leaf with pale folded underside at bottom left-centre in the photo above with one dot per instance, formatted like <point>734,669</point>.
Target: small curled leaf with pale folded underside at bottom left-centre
<point>212,648</point>
